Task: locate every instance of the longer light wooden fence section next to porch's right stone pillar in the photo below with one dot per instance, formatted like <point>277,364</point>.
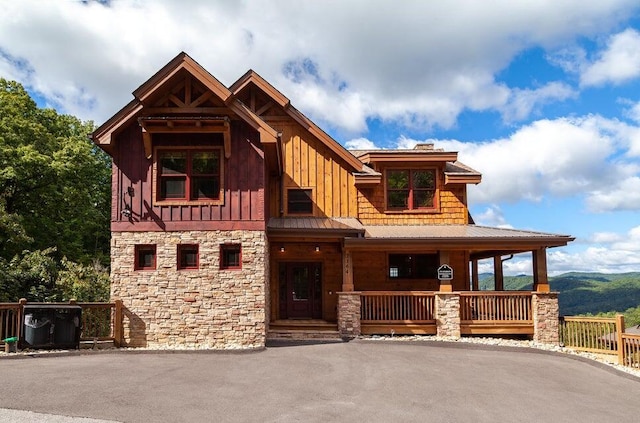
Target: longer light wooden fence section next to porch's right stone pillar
<point>593,334</point>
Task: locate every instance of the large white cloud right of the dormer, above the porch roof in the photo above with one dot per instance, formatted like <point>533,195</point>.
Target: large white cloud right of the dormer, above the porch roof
<point>562,157</point>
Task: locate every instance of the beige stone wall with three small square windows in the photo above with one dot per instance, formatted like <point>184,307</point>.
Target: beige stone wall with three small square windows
<point>205,308</point>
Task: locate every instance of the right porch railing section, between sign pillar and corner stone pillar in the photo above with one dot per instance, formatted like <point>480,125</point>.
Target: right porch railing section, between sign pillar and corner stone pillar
<point>496,313</point>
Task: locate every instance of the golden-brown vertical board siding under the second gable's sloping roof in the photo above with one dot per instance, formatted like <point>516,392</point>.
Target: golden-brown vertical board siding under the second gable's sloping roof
<point>309,164</point>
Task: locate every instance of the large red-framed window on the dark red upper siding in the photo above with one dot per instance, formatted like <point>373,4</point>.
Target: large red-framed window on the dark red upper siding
<point>189,175</point>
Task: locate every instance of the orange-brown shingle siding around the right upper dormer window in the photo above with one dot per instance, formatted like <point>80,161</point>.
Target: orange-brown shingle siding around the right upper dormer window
<point>451,200</point>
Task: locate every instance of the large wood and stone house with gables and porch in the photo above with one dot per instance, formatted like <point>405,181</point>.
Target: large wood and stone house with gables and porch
<point>235,217</point>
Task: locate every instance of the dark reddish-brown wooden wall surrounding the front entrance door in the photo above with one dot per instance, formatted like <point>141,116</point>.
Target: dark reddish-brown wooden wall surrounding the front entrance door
<point>331,258</point>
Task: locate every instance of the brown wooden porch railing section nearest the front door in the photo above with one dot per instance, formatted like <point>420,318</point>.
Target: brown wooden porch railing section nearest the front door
<point>397,312</point>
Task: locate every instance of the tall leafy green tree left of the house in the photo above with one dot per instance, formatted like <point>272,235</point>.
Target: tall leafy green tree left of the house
<point>54,182</point>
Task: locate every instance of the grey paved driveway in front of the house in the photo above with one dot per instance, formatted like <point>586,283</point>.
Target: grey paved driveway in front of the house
<point>359,381</point>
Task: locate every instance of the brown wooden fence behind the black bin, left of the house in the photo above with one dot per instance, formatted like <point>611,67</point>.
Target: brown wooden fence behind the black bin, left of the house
<point>100,321</point>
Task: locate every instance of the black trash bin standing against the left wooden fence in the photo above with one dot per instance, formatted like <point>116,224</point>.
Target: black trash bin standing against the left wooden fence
<point>52,326</point>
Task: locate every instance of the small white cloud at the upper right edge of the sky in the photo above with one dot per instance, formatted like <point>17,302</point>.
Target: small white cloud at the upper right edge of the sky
<point>618,63</point>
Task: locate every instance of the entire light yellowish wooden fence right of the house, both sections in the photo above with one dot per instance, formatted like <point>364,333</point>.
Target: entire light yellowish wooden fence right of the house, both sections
<point>601,335</point>
